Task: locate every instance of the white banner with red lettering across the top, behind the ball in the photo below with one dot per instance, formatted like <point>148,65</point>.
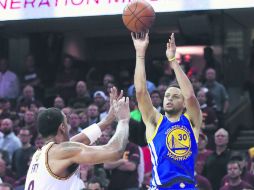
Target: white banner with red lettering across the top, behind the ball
<point>37,9</point>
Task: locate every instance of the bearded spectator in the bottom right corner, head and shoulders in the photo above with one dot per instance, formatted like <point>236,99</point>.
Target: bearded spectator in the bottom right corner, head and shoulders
<point>235,182</point>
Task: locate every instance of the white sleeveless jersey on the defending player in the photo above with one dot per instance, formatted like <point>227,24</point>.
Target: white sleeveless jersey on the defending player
<point>40,177</point>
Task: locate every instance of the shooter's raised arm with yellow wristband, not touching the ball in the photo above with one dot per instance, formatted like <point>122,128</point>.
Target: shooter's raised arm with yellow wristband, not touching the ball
<point>191,102</point>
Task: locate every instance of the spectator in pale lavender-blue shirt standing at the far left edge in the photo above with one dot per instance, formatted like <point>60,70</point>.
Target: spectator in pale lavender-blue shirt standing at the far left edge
<point>9,83</point>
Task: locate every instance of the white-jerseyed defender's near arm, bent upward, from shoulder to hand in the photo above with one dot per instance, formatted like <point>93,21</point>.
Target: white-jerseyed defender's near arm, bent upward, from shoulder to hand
<point>71,152</point>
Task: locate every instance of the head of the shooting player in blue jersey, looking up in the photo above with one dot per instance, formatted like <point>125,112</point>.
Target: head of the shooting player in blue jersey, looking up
<point>173,101</point>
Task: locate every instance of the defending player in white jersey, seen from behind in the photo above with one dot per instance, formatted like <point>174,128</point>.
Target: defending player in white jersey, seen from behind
<point>55,166</point>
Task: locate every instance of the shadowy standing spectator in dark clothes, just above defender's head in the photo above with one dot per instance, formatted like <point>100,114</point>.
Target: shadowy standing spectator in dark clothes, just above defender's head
<point>67,78</point>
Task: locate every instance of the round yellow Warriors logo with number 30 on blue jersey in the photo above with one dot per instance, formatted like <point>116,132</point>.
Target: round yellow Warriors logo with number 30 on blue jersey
<point>178,142</point>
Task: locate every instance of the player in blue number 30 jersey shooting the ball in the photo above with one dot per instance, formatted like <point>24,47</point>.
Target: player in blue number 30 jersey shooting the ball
<point>172,138</point>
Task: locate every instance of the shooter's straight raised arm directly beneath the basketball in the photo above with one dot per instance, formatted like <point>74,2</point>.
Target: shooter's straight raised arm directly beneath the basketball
<point>149,114</point>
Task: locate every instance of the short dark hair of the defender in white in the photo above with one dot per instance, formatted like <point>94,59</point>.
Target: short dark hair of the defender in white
<point>48,121</point>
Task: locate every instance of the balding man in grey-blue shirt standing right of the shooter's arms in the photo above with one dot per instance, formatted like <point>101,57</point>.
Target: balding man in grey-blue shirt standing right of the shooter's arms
<point>219,93</point>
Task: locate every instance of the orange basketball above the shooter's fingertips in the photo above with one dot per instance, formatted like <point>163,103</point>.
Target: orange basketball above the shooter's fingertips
<point>138,16</point>
